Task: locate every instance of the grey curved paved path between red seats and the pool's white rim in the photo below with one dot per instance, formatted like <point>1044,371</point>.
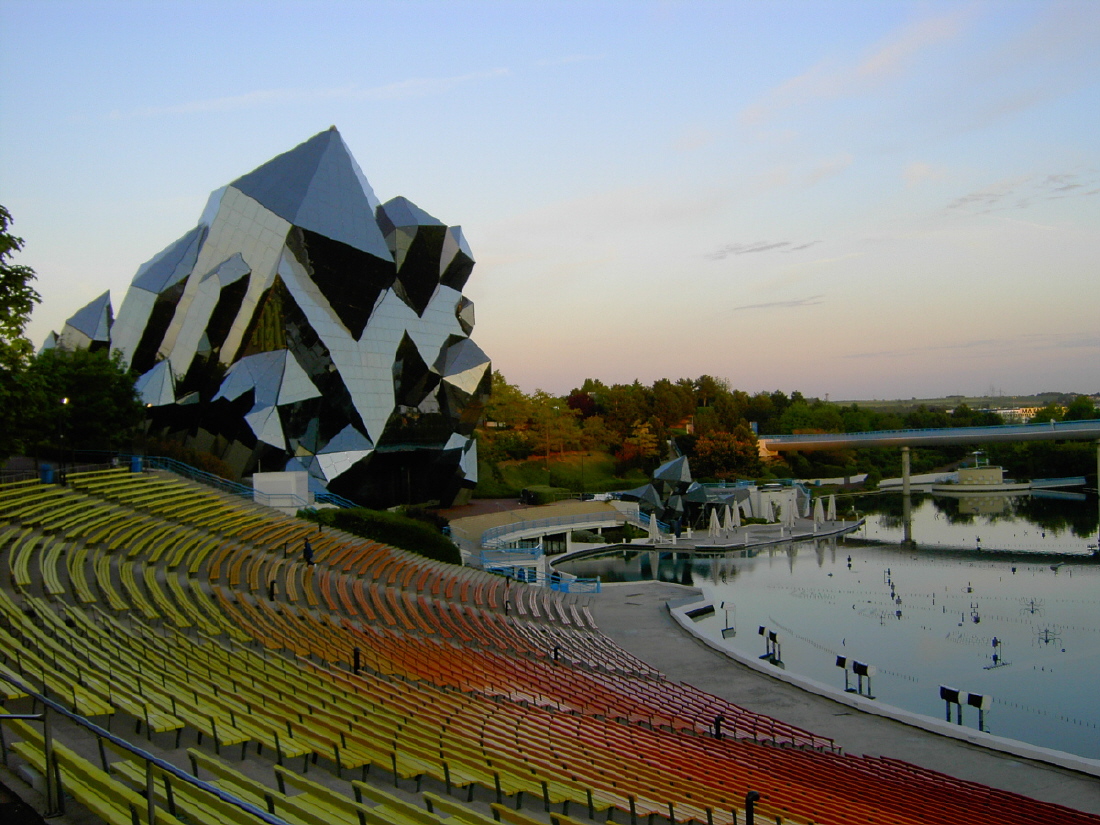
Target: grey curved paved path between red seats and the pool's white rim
<point>635,617</point>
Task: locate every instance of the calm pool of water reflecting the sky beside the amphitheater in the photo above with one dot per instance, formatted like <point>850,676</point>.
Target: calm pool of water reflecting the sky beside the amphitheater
<point>1020,625</point>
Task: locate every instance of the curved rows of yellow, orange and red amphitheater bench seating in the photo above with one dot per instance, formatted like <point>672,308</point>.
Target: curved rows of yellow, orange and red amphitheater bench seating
<point>204,622</point>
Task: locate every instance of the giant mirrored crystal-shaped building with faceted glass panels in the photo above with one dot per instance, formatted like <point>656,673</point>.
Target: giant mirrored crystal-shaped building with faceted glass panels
<point>304,325</point>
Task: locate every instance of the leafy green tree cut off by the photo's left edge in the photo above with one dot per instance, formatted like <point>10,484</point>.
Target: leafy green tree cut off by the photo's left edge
<point>17,301</point>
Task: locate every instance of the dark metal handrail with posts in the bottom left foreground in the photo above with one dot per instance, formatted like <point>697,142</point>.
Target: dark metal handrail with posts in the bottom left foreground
<point>53,774</point>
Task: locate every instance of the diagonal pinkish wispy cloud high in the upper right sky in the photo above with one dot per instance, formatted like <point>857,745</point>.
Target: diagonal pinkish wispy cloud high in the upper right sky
<point>827,81</point>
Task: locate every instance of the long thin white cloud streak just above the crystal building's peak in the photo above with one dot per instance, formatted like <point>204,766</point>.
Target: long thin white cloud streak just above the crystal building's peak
<point>416,87</point>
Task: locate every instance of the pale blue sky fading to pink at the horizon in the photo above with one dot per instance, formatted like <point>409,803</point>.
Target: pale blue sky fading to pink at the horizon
<point>850,200</point>
